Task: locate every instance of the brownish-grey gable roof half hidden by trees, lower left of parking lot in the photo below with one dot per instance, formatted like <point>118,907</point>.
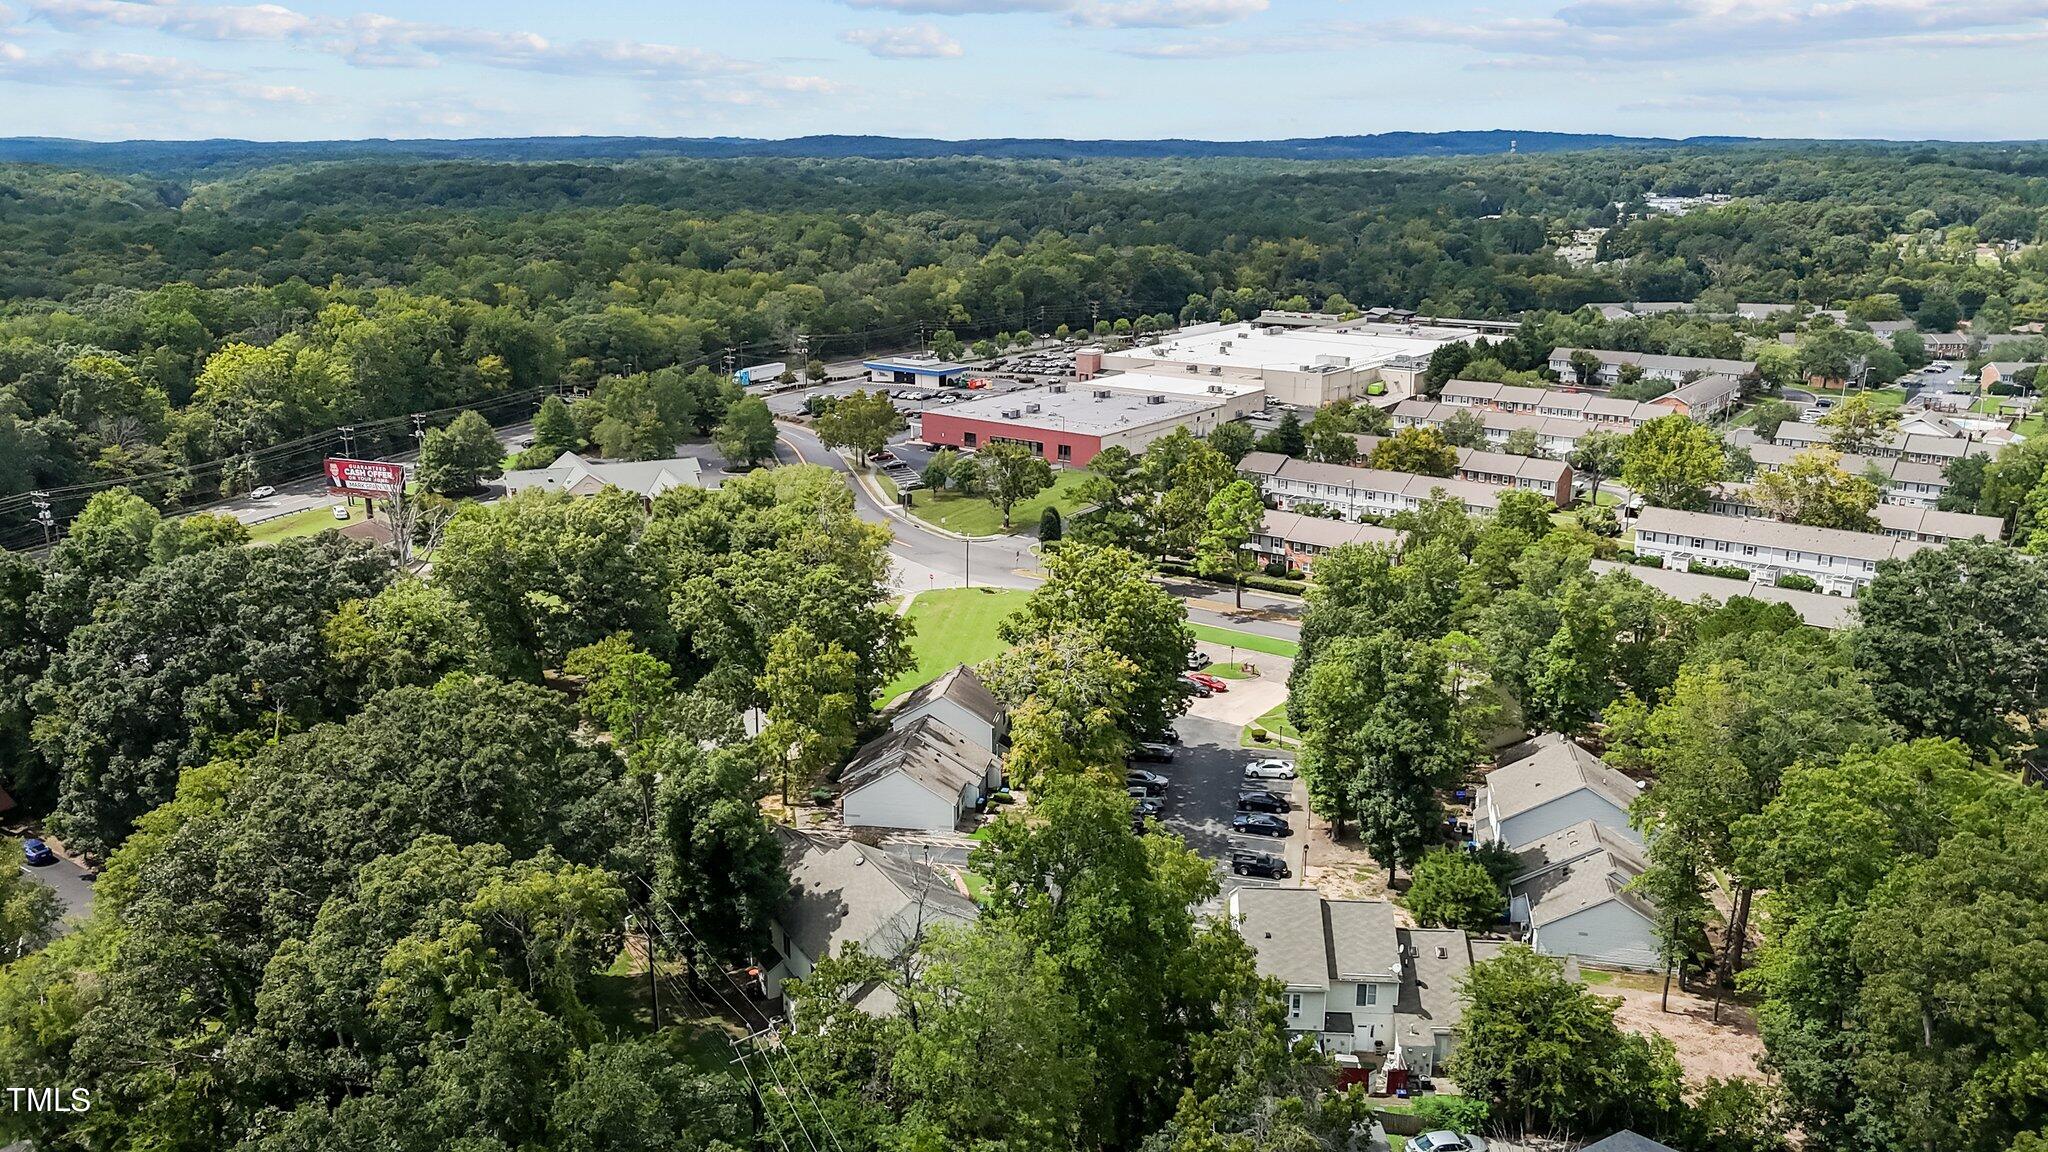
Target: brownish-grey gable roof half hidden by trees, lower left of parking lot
<point>849,893</point>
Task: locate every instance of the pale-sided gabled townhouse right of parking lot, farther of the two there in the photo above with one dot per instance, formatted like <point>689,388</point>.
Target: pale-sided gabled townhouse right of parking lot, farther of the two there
<point>1549,784</point>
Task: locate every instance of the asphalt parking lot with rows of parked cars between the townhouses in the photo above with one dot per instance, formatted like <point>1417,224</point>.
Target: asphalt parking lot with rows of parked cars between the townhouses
<point>1203,798</point>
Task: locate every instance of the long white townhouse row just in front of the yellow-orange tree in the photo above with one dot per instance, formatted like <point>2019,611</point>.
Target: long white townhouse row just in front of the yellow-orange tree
<point>1838,561</point>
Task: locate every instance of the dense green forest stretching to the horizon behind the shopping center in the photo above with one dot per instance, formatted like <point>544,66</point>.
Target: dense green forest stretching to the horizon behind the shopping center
<point>196,337</point>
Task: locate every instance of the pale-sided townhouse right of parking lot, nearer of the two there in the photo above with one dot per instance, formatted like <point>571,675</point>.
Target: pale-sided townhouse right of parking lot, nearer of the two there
<point>1572,899</point>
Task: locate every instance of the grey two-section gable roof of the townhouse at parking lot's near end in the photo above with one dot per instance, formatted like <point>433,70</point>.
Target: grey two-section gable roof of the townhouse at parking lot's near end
<point>1308,942</point>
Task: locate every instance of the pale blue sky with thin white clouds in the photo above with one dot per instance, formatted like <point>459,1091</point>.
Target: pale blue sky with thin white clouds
<point>1023,69</point>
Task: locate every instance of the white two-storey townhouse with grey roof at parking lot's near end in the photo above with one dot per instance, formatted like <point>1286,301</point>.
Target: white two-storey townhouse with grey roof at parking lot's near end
<point>1338,960</point>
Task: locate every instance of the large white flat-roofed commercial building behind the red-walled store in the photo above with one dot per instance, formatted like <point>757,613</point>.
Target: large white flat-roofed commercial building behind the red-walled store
<point>1306,368</point>
